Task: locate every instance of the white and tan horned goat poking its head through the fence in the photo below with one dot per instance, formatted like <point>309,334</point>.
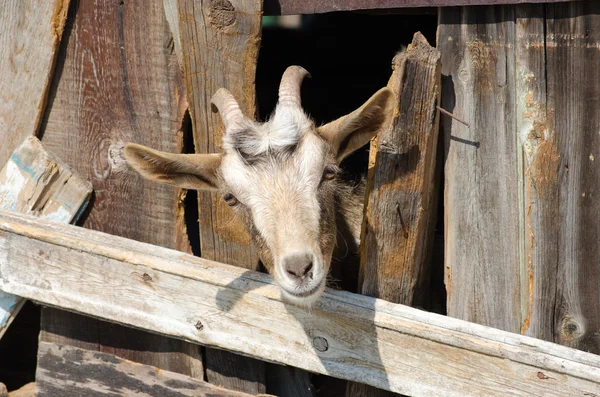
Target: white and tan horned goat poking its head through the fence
<point>281,178</point>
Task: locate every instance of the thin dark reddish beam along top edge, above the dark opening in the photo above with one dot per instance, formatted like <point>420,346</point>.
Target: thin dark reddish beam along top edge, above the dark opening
<point>292,7</point>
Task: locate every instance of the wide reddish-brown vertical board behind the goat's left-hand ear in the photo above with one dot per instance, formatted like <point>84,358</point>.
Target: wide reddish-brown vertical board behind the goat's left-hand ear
<point>118,80</point>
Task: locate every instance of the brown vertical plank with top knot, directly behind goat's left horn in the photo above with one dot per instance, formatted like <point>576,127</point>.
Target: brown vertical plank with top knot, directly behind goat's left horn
<point>219,44</point>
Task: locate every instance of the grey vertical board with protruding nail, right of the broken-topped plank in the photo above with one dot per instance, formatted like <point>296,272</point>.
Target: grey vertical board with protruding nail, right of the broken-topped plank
<point>481,169</point>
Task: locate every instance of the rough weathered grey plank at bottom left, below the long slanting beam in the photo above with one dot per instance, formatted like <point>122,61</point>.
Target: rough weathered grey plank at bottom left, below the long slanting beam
<point>69,371</point>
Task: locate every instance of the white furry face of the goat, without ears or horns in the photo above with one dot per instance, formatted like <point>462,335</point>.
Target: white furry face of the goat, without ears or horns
<point>281,193</point>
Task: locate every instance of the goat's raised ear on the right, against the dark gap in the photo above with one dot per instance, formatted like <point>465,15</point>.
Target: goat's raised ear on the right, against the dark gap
<point>351,132</point>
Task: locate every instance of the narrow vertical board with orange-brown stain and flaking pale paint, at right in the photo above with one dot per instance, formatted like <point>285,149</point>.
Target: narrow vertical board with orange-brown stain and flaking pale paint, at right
<point>539,169</point>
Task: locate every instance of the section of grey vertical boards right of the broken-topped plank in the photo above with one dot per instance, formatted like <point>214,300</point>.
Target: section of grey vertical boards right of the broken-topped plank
<point>521,215</point>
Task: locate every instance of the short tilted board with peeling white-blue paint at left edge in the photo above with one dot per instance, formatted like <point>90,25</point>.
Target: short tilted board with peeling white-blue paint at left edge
<point>36,182</point>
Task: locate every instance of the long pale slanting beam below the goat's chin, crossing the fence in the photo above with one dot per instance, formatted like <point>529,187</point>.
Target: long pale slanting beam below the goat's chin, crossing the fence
<point>345,335</point>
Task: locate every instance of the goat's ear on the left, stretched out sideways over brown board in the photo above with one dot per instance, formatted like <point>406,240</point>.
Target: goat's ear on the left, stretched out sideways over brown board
<point>188,171</point>
